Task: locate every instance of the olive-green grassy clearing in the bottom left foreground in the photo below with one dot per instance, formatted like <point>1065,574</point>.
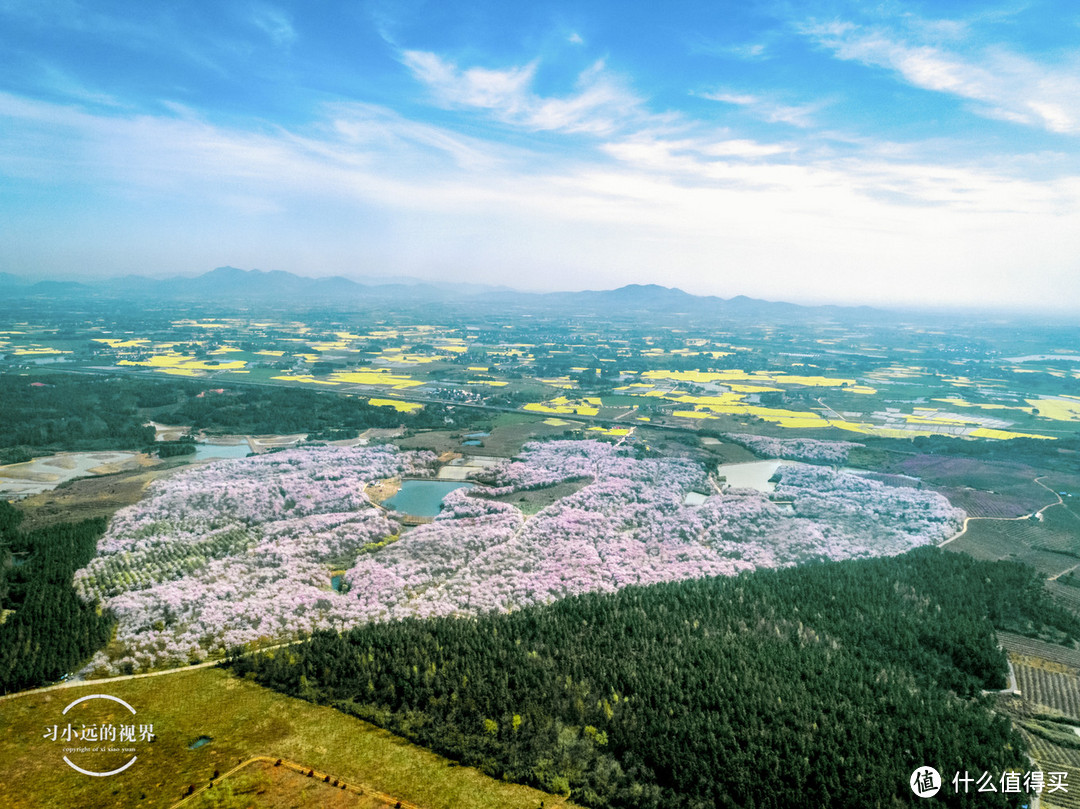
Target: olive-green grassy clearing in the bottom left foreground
<point>244,721</point>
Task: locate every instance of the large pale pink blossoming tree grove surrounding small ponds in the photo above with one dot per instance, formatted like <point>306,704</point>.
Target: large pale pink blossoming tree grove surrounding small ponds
<point>240,551</point>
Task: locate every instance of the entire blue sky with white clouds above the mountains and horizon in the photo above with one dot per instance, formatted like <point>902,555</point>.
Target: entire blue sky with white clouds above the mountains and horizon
<point>890,154</point>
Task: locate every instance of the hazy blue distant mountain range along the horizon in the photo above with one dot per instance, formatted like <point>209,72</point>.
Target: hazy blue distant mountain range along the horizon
<point>236,289</point>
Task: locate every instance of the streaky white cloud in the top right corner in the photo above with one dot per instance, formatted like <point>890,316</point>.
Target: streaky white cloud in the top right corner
<point>941,57</point>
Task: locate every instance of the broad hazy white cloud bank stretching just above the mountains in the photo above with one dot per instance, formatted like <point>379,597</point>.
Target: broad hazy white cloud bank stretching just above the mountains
<point>366,186</point>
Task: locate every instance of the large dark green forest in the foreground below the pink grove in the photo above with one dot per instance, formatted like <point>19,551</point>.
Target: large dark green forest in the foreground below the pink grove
<point>823,685</point>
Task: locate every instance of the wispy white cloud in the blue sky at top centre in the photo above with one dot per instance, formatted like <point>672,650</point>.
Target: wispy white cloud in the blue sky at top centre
<point>600,105</point>
